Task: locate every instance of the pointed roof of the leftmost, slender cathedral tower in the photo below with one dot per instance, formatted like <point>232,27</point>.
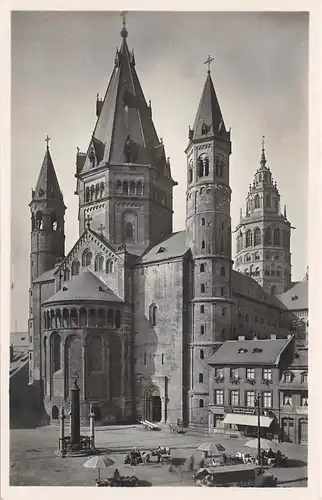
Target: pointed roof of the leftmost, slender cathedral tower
<point>47,187</point>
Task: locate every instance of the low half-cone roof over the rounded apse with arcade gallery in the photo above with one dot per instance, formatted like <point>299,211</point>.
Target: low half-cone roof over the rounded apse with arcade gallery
<point>84,286</point>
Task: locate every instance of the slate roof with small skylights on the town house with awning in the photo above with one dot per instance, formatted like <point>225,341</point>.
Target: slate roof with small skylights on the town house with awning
<point>230,352</point>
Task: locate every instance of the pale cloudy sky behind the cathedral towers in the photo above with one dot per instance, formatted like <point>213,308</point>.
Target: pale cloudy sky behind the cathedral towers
<point>60,60</point>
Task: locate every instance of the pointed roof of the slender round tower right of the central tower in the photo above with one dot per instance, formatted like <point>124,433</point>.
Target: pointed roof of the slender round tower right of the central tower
<point>209,120</point>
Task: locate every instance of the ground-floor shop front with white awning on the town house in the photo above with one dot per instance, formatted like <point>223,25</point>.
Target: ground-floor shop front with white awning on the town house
<point>241,421</point>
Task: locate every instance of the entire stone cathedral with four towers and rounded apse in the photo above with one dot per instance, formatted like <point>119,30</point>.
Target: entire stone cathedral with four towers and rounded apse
<point>134,310</point>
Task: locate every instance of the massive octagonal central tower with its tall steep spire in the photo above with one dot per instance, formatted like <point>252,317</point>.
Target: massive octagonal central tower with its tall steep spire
<point>124,180</point>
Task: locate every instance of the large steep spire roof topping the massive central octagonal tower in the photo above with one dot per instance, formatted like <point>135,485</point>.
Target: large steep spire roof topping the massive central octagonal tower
<point>125,121</point>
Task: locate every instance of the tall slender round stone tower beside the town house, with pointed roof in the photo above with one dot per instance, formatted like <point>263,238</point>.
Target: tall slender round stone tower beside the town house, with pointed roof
<point>208,234</point>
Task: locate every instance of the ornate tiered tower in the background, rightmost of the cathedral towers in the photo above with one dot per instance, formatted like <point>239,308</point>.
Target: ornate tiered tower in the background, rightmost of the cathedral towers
<point>263,234</point>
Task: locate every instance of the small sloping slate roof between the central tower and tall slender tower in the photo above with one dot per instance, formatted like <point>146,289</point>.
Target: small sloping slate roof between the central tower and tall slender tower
<point>168,248</point>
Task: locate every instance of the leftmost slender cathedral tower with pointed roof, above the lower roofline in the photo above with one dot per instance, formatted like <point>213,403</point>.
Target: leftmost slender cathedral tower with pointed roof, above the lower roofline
<point>47,220</point>
